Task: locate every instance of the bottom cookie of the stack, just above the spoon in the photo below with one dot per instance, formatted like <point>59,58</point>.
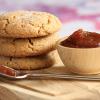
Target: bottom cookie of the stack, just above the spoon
<point>37,62</point>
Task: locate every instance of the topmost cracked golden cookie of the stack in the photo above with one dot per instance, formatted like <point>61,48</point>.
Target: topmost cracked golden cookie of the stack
<point>27,24</point>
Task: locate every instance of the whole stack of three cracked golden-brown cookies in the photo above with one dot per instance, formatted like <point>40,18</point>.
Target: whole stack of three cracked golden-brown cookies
<point>26,39</point>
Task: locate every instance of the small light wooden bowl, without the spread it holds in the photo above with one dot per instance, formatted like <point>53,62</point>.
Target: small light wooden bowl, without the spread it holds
<point>80,60</point>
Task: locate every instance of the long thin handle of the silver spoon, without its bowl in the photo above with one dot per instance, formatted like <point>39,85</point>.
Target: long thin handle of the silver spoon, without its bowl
<point>63,76</point>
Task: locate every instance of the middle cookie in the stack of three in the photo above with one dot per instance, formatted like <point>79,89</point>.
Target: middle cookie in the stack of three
<point>27,47</point>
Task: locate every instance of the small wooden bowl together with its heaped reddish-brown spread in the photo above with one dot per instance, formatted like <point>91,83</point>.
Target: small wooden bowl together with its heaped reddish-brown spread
<point>80,52</point>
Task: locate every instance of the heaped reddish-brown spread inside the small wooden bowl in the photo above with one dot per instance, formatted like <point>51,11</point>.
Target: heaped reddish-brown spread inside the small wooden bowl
<point>82,39</point>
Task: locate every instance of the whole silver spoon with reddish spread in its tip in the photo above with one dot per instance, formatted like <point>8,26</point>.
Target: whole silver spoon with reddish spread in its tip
<point>11,73</point>
